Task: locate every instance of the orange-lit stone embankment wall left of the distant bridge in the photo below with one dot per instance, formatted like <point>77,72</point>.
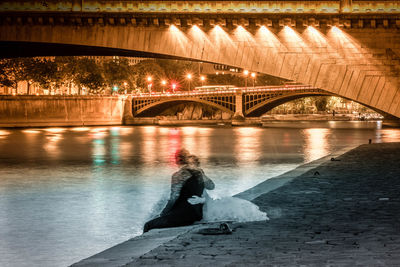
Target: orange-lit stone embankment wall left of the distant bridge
<point>41,111</point>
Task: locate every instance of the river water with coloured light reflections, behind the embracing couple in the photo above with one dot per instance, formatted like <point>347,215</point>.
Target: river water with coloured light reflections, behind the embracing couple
<point>68,193</point>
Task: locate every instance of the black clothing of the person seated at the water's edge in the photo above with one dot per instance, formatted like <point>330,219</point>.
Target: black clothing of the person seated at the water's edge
<point>182,212</point>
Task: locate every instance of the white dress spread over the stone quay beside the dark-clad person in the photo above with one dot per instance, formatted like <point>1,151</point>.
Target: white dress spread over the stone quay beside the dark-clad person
<point>231,209</point>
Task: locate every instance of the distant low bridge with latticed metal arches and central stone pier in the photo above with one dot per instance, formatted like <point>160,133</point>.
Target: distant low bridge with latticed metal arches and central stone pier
<point>240,102</point>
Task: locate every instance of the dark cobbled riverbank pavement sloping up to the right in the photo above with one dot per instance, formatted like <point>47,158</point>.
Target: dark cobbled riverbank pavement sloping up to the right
<point>340,212</point>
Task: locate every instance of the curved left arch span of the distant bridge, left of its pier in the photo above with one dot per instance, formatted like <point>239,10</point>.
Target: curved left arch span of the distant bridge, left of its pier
<point>158,107</point>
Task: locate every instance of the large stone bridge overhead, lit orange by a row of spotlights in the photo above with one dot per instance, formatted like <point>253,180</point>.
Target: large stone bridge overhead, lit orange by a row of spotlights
<point>348,48</point>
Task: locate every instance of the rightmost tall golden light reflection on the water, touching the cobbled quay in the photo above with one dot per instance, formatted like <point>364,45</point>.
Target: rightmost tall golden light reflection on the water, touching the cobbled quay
<point>316,143</point>
